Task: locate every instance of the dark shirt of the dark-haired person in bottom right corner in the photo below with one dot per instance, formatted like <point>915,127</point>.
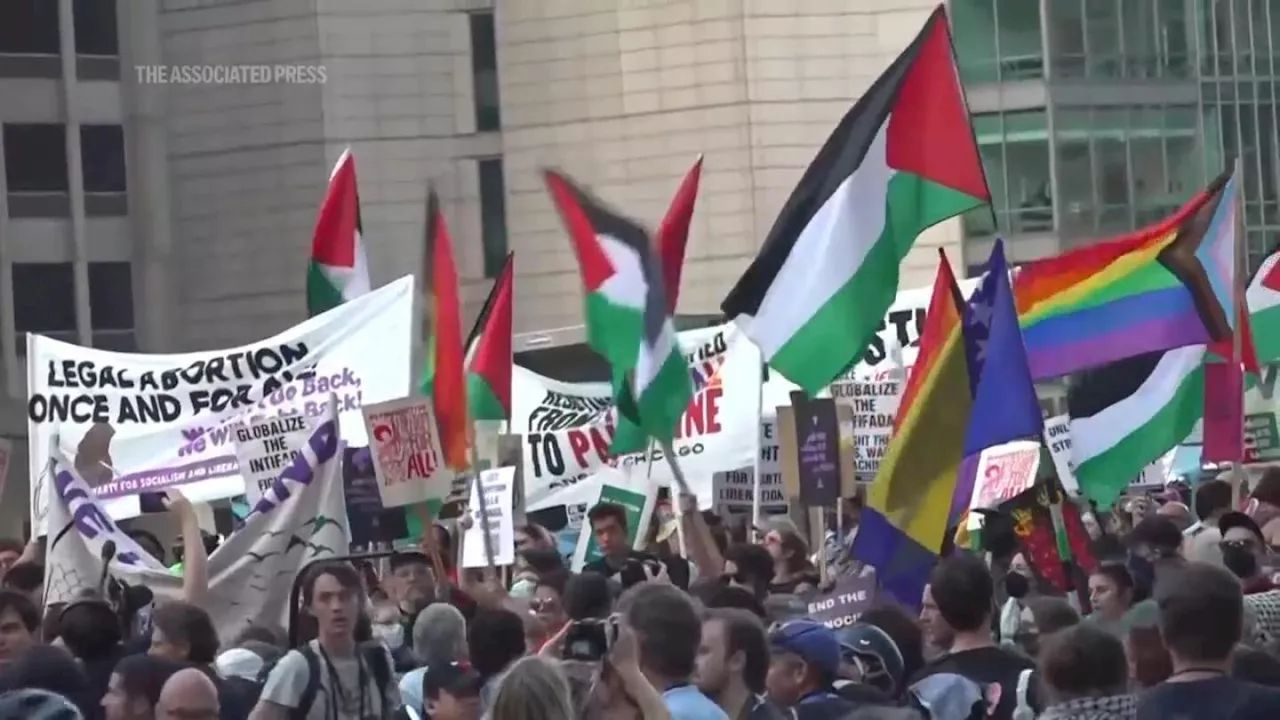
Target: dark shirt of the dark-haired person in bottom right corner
<point>1217,699</point>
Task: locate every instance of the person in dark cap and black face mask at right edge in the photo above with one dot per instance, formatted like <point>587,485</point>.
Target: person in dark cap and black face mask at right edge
<point>1246,555</point>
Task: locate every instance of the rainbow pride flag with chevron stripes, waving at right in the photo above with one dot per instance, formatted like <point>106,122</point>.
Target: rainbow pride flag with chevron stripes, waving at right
<point>1155,290</point>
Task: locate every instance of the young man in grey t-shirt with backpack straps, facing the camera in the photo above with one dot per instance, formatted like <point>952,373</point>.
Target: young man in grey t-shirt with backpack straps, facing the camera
<point>332,677</point>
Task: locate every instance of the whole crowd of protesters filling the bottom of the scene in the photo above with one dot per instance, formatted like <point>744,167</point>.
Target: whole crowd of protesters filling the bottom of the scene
<point>1182,622</point>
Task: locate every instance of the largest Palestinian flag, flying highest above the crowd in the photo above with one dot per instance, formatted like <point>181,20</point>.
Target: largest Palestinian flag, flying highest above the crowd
<point>900,162</point>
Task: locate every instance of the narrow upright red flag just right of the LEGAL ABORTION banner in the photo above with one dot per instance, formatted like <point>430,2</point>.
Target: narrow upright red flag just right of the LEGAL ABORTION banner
<point>444,381</point>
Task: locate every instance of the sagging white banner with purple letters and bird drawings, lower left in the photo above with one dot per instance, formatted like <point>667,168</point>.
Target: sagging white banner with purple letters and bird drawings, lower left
<point>300,520</point>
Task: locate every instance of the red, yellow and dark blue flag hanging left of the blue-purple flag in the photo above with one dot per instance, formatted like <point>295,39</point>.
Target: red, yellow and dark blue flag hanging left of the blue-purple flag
<point>906,517</point>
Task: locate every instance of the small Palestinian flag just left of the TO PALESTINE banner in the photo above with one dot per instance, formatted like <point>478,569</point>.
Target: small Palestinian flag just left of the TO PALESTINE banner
<point>490,353</point>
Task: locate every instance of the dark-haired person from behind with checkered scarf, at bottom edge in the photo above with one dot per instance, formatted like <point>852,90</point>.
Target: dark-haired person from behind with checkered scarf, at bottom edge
<point>1086,677</point>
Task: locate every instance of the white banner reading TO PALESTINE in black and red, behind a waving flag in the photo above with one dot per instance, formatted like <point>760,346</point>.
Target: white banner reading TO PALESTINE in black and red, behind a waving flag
<point>568,427</point>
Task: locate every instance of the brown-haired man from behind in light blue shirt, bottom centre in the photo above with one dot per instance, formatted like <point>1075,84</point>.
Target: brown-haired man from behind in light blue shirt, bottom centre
<point>669,634</point>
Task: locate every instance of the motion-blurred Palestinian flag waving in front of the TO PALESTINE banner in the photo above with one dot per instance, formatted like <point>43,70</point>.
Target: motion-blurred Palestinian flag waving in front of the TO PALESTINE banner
<point>628,317</point>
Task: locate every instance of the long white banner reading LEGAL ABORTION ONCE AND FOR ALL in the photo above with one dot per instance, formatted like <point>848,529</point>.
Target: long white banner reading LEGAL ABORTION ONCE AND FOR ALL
<point>135,423</point>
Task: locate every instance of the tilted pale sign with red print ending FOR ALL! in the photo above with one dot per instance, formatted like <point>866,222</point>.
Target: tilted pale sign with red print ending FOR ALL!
<point>406,450</point>
